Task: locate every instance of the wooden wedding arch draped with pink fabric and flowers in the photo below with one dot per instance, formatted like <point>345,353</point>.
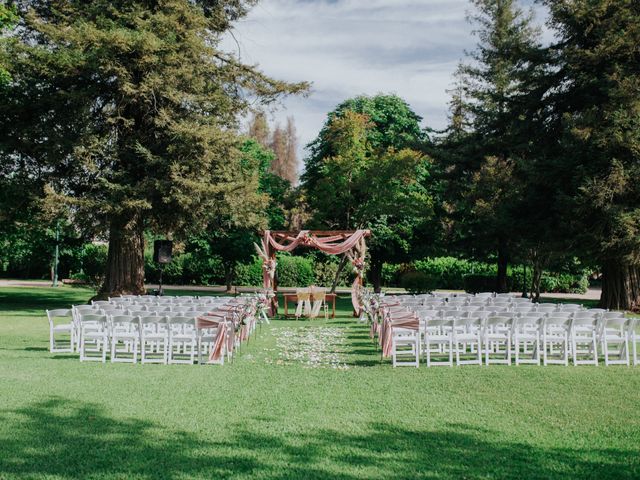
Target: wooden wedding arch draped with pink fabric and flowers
<point>334,242</point>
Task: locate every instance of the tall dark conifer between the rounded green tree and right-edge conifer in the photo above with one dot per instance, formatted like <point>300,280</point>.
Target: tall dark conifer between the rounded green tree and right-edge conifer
<point>487,140</point>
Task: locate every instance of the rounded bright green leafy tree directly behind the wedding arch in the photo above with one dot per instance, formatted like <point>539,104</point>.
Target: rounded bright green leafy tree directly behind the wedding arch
<point>362,173</point>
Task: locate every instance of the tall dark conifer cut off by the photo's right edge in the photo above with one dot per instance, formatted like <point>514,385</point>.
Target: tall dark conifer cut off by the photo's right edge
<point>592,134</point>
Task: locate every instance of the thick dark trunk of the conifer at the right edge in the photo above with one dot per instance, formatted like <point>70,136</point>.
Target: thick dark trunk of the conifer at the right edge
<point>620,285</point>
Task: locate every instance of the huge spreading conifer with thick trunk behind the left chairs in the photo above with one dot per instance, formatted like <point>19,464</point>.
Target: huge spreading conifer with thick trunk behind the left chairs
<point>127,111</point>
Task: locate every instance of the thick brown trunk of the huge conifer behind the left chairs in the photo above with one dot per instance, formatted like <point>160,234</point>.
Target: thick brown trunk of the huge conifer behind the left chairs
<point>125,261</point>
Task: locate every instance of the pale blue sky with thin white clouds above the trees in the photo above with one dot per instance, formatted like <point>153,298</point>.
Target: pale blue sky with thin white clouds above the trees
<point>350,47</point>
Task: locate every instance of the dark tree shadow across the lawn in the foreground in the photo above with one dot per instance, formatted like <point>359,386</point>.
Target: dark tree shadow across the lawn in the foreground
<point>73,440</point>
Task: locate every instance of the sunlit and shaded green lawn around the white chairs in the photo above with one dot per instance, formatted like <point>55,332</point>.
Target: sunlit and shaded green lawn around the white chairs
<point>270,415</point>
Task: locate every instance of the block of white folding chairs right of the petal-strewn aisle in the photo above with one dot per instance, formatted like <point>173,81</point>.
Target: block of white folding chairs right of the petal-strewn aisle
<point>550,338</point>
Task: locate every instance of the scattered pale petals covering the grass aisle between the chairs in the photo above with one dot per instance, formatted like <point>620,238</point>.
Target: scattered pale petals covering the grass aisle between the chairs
<point>314,347</point>
